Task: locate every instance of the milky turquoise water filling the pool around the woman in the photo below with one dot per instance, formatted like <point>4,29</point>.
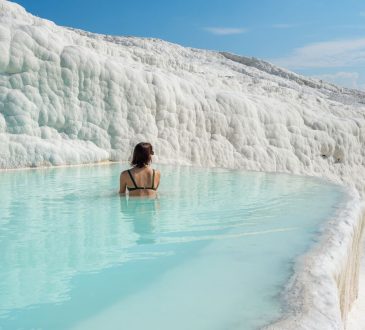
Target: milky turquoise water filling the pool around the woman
<point>212,252</point>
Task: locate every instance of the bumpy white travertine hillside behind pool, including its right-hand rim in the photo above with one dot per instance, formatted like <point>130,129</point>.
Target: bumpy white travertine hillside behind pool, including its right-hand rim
<point>73,97</point>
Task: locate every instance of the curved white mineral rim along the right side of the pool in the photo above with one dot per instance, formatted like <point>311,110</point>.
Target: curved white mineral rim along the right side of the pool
<point>325,282</point>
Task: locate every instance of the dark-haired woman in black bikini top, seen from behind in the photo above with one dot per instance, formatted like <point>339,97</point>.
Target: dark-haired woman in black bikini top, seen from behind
<point>141,179</point>
